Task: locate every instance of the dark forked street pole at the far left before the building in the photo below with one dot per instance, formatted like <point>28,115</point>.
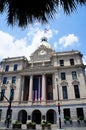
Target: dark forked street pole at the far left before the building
<point>8,116</point>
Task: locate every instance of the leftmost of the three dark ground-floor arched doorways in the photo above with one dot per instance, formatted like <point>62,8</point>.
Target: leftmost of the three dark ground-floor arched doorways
<point>22,116</point>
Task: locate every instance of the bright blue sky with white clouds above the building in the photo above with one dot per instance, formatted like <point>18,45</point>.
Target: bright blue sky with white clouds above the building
<point>64,33</point>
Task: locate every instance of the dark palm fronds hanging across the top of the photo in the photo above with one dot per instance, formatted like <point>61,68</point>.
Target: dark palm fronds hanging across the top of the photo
<point>23,12</point>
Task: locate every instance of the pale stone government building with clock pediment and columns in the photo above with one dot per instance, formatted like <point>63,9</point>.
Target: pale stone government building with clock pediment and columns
<point>42,83</point>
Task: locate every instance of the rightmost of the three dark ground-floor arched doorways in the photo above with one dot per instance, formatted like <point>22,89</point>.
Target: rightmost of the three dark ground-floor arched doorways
<point>51,116</point>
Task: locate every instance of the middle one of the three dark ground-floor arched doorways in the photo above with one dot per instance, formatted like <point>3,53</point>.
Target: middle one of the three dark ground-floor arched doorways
<point>36,116</point>
